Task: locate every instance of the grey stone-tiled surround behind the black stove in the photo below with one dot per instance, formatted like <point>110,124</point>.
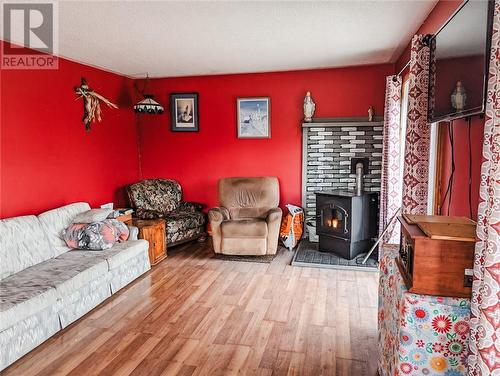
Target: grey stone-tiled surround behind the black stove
<point>327,148</point>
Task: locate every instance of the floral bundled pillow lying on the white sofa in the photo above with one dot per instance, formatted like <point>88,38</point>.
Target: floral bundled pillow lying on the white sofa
<point>95,236</point>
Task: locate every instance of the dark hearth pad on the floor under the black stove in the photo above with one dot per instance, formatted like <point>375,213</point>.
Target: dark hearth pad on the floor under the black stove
<point>307,254</point>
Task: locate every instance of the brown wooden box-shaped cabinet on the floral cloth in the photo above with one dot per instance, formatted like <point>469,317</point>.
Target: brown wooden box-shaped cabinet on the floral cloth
<point>437,264</point>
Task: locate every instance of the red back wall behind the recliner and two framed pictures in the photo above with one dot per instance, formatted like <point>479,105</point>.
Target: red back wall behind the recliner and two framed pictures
<point>198,160</point>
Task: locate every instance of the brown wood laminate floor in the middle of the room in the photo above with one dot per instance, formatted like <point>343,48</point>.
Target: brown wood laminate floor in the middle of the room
<point>196,315</point>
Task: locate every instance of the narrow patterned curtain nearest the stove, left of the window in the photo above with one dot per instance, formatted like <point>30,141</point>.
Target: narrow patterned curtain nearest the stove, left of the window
<point>390,193</point>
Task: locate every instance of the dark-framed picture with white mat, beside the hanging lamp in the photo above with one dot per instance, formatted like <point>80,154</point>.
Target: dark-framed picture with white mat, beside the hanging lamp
<point>184,112</point>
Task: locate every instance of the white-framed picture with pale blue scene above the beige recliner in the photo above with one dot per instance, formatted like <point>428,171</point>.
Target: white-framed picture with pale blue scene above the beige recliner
<point>254,117</point>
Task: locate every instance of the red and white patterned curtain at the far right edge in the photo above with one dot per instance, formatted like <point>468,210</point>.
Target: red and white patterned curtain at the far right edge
<point>484,358</point>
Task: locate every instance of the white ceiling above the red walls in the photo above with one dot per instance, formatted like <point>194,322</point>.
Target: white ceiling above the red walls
<point>181,38</point>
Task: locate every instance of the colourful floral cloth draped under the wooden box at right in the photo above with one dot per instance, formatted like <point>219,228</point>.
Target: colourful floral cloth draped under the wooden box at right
<point>419,334</point>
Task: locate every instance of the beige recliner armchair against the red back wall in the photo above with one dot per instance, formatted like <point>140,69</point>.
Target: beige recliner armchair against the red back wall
<point>248,219</point>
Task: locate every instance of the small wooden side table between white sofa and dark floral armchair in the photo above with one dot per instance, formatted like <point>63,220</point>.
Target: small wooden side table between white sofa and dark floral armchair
<point>153,230</point>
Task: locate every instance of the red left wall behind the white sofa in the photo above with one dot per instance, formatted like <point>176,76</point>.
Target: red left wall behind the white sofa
<point>47,158</point>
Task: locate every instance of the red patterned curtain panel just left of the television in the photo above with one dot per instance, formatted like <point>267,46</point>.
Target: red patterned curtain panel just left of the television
<point>416,165</point>
